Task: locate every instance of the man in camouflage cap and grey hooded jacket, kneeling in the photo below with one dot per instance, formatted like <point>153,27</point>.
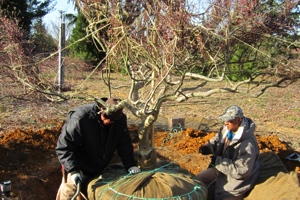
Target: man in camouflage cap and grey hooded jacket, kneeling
<point>234,166</point>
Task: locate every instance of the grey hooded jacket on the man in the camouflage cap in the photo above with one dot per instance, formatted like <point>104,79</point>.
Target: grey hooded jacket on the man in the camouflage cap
<point>238,163</point>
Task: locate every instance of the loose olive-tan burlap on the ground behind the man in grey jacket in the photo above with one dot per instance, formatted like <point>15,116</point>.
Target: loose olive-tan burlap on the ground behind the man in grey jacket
<point>275,182</point>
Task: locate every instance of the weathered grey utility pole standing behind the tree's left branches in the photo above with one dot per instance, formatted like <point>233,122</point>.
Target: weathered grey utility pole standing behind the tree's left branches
<point>61,52</point>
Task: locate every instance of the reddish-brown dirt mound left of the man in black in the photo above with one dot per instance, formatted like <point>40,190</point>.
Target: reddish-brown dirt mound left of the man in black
<point>28,160</point>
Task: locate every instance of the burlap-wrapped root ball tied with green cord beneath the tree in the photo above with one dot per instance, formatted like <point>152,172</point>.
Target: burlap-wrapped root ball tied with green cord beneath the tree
<point>156,185</point>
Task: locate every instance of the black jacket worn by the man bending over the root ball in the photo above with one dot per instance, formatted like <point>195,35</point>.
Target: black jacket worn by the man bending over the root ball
<point>86,145</point>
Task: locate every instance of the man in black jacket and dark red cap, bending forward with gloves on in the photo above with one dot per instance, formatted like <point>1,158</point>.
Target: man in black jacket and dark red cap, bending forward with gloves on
<point>87,143</point>
